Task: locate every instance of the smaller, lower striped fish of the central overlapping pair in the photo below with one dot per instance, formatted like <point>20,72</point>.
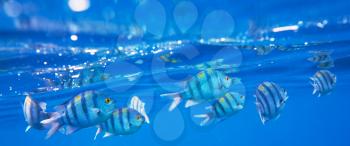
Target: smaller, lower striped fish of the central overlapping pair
<point>223,107</point>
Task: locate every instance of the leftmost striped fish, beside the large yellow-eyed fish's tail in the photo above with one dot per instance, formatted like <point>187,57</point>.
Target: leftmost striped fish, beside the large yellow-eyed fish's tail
<point>34,112</point>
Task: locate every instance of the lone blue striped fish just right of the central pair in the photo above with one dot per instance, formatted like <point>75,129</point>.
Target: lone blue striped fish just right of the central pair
<point>270,100</point>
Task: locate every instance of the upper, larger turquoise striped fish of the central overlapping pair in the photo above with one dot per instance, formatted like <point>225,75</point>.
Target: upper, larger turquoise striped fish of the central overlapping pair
<point>206,85</point>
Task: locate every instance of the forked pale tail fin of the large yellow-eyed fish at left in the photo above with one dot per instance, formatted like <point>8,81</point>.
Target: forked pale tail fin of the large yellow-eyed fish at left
<point>53,122</point>
